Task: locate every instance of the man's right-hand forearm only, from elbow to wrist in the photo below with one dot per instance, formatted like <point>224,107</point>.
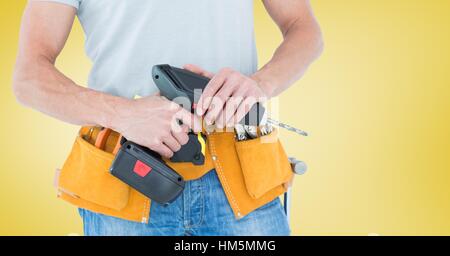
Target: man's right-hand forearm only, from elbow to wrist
<point>302,44</point>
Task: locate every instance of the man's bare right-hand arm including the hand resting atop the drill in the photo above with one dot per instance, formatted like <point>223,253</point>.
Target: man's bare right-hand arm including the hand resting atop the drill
<point>230,94</point>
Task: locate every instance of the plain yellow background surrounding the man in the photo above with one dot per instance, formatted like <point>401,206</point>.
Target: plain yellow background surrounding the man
<point>376,103</point>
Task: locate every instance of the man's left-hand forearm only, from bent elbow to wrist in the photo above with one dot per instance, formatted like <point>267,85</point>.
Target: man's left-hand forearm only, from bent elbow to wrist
<point>39,85</point>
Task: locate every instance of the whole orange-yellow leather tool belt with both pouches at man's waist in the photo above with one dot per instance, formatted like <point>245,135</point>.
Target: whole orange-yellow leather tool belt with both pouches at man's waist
<point>252,173</point>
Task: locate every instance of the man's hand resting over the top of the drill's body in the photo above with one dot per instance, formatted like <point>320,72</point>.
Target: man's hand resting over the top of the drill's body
<point>228,97</point>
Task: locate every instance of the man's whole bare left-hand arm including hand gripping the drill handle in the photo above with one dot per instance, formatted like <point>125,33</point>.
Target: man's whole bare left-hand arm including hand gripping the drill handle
<point>39,85</point>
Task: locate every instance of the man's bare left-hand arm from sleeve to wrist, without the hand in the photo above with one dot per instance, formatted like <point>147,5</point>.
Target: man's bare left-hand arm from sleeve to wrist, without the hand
<point>39,85</point>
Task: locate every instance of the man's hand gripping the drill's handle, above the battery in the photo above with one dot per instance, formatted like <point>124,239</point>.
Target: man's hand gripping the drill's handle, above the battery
<point>153,122</point>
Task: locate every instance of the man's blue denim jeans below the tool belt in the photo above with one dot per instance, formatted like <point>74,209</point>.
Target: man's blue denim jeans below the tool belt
<point>202,209</point>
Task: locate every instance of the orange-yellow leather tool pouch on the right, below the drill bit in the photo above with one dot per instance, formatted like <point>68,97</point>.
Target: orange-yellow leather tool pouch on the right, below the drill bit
<point>252,172</point>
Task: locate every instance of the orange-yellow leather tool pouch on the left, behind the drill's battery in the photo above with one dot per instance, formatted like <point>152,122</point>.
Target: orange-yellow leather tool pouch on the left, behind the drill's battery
<point>85,181</point>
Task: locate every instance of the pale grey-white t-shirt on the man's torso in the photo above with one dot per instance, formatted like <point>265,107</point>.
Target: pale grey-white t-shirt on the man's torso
<point>125,38</point>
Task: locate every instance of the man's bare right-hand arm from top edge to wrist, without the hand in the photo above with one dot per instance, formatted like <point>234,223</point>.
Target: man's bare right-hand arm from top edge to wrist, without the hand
<point>302,44</point>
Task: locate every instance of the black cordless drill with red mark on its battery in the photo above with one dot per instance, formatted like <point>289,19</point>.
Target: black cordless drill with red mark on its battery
<point>145,170</point>
